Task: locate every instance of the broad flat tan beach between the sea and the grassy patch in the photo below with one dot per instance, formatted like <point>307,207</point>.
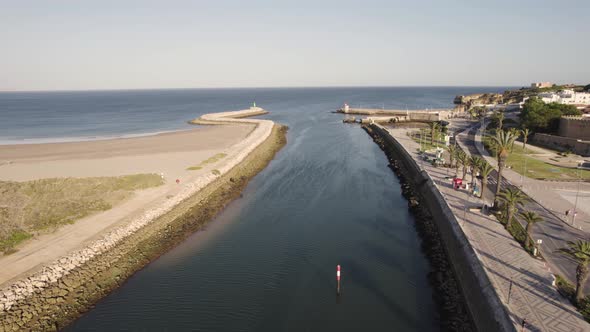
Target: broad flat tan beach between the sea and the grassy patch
<point>168,153</point>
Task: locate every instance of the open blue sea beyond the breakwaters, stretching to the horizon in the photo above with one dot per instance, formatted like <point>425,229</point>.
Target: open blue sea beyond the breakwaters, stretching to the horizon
<point>35,117</point>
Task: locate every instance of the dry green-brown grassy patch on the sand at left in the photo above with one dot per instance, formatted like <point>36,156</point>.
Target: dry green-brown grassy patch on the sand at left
<point>33,206</point>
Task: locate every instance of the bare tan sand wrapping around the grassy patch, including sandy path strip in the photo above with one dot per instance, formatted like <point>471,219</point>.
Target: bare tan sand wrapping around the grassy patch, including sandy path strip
<point>168,153</point>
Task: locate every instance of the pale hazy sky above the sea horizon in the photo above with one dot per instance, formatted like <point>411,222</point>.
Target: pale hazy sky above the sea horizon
<point>71,45</point>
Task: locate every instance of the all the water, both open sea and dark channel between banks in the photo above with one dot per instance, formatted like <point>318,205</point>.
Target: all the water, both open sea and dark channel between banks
<point>267,262</point>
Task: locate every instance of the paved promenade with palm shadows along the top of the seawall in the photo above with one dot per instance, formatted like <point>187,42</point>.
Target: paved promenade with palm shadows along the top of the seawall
<point>522,282</point>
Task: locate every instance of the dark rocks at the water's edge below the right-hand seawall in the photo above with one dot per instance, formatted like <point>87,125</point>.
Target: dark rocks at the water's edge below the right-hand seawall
<point>451,305</point>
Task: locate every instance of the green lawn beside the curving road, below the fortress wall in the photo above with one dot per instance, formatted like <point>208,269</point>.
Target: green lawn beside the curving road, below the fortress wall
<point>535,168</point>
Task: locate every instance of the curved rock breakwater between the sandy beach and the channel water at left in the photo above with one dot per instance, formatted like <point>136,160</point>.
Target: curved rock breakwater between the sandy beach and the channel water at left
<point>62,290</point>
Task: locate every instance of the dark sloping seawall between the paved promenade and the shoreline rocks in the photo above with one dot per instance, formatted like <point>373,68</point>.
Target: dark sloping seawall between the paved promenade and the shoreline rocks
<point>480,297</point>
